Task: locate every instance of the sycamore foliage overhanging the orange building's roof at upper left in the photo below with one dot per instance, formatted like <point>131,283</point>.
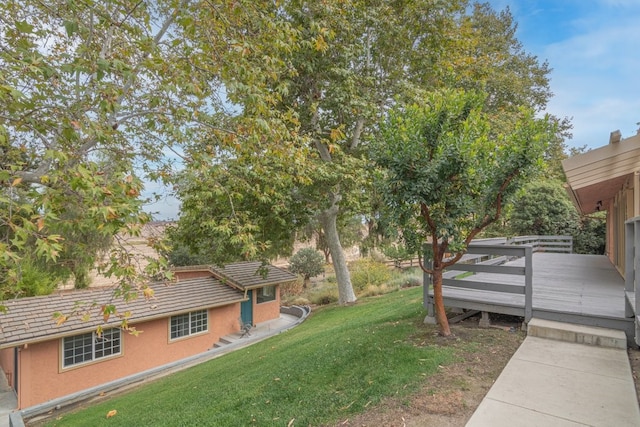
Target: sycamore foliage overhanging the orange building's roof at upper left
<point>95,97</point>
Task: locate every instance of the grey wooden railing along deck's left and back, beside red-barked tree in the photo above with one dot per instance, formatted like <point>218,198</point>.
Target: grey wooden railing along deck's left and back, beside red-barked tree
<point>489,256</point>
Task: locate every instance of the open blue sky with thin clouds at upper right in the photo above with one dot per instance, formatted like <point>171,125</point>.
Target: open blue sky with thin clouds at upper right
<point>593,48</point>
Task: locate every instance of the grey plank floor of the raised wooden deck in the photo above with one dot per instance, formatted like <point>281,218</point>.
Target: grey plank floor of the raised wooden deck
<point>582,289</point>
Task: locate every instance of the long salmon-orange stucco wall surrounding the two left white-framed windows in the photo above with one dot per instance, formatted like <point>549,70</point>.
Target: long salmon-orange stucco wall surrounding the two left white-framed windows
<point>42,377</point>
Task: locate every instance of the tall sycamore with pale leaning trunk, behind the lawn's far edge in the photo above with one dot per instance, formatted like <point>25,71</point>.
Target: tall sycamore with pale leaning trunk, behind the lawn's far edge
<point>348,62</point>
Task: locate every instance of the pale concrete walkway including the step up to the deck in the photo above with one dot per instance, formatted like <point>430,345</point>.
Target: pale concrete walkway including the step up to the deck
<point>563,376</point>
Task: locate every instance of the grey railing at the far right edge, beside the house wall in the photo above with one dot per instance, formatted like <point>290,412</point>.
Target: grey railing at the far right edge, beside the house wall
<point>632,272</point>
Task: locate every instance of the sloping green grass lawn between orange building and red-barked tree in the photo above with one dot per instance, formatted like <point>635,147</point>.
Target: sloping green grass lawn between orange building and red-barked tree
<point>340,361</point>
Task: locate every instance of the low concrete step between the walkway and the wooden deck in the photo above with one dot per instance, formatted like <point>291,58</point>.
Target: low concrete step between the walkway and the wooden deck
<point>569,332</point>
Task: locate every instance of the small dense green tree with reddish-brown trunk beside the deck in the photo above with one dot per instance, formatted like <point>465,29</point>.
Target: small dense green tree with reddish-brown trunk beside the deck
<point>449,168</point>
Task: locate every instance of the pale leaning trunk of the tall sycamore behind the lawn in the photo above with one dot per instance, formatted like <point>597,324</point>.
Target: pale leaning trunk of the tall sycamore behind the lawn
<point>328,220</point>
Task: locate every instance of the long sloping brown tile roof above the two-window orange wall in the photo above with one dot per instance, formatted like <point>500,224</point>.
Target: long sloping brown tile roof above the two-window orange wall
<point>31,319</point>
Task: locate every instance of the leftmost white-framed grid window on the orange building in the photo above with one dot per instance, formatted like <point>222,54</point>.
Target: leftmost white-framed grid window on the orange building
<point>88,347</point>
